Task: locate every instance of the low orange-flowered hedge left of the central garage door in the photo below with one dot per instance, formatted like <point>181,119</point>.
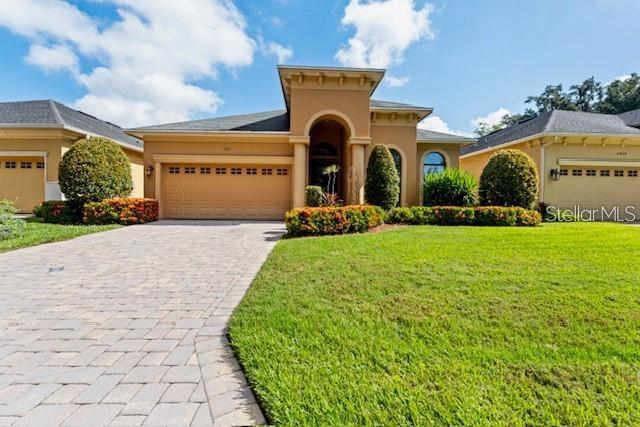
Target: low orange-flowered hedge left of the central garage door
<point>125,211</point>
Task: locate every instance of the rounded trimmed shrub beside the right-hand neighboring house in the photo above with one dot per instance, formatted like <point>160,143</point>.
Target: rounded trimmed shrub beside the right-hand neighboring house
<point>510,178</point>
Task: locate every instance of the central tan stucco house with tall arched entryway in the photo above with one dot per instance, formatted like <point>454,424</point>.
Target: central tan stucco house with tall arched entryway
<point>256,166</point>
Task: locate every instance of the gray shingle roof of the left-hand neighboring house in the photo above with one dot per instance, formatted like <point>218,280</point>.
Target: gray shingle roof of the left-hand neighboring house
<point>52,113</point>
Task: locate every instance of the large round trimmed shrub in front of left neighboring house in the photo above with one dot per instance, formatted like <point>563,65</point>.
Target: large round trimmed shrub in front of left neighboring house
<point>93,170</point>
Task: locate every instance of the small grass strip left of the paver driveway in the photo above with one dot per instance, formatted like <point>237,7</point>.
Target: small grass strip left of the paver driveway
<point>37,233</point>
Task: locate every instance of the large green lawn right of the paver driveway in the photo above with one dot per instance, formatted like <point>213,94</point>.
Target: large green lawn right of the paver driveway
<point>448,326</point>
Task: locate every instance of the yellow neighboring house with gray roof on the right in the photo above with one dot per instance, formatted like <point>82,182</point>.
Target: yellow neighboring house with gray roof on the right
<point>584,159</point>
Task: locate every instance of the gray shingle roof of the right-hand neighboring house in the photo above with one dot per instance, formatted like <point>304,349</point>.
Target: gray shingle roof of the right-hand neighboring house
<point>556,121</point>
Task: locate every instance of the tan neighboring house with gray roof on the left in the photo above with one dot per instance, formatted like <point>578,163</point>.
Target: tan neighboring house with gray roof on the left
<point>34,135</point>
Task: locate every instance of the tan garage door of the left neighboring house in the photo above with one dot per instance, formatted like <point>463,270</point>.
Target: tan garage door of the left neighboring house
<point>22,181</point>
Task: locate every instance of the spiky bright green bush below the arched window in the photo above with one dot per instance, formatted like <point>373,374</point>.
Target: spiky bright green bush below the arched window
<point>451,187</point>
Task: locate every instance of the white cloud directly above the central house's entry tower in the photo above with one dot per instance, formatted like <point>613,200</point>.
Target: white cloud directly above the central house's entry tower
<point>384,31</point>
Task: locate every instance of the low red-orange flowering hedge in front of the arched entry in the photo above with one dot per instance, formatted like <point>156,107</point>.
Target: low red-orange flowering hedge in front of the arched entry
<point>332,220</point>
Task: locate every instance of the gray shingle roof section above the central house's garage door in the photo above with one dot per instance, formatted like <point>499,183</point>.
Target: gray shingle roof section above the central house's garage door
<point>268,121</point>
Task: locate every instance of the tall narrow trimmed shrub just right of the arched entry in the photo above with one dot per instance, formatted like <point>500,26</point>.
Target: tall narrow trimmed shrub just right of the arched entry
<point>382,187</point>
